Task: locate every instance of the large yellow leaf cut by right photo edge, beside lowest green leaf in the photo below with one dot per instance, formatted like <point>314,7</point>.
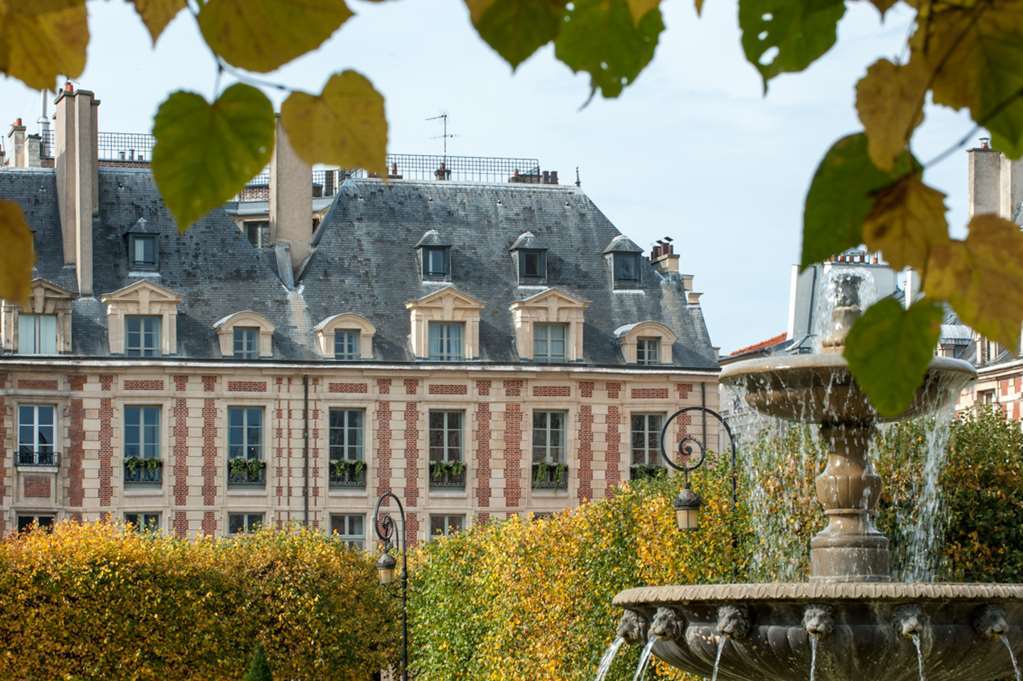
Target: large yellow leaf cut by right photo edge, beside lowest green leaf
<point>983,278</point>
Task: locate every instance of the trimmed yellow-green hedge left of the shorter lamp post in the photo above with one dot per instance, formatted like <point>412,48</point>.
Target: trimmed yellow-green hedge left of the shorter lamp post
<point>99,602</point>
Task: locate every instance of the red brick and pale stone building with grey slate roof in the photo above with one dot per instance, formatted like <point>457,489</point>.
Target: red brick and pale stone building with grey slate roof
<point>480,349</point>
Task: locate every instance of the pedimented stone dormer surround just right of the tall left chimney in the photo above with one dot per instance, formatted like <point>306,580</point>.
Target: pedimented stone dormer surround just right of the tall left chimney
<point>145,299</point>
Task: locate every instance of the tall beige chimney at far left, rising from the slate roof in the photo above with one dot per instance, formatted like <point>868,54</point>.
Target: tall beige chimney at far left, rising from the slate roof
<point>78,178</point>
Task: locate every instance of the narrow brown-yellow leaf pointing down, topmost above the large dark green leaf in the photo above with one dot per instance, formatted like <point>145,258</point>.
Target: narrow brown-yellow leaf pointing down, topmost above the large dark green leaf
<point>891,103</point>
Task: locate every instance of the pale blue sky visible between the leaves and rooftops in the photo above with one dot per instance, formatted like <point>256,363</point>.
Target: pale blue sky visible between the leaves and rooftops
<point>694,150</point>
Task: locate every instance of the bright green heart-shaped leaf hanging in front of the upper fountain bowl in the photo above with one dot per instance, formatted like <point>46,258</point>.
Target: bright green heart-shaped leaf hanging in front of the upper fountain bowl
<point>889,349</point>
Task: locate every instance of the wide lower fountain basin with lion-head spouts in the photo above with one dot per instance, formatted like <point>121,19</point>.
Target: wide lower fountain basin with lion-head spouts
<point>864,630</point>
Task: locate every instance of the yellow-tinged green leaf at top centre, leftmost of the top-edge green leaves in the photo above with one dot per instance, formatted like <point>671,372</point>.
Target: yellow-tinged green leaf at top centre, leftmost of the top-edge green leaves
<point>516,29</point>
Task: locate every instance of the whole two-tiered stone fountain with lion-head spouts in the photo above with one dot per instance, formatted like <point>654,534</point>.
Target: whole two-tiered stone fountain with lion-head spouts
<point>850,622</point>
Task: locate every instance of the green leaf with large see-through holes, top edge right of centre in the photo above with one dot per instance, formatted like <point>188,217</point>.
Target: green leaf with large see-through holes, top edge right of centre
<point>782,36</point>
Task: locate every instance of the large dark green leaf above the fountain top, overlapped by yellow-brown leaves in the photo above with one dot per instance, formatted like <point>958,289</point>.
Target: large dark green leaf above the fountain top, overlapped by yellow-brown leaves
<point>842,196</point>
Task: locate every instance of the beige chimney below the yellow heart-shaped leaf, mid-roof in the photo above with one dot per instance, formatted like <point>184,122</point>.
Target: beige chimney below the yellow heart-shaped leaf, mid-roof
<point>291,200</point>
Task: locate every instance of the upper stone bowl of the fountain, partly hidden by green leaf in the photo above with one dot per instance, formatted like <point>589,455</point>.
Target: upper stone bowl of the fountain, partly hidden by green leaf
<point>820,389</point>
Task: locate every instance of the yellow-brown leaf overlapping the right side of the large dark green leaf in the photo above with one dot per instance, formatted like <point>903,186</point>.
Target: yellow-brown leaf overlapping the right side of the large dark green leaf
<point>907,222</point>
